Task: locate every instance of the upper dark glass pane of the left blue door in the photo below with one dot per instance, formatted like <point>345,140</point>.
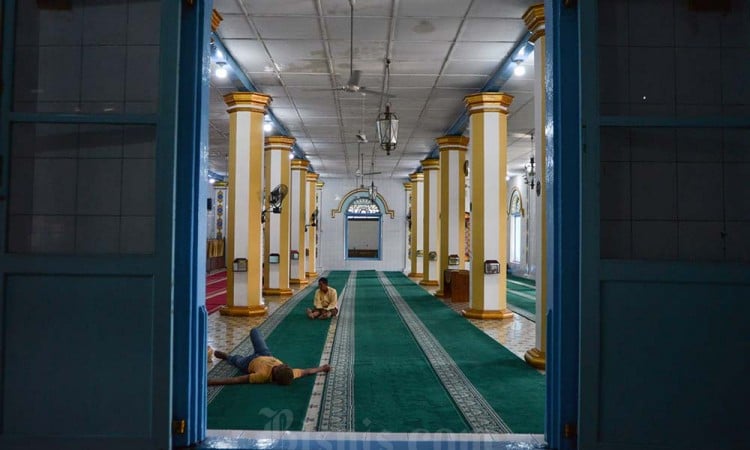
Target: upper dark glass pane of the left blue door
<point>79,56</point>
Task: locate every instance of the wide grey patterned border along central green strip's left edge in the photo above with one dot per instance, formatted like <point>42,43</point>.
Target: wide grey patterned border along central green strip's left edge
<point>337,405</point>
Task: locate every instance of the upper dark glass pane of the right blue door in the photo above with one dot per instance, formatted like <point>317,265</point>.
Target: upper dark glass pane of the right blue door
<point>680,59</point>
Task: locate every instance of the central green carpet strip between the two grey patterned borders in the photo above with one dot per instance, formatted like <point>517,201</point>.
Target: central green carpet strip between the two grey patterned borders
<point>395,389</point>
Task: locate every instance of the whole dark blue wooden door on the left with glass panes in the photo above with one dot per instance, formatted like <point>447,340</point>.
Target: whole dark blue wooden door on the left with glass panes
<point>86,261</point>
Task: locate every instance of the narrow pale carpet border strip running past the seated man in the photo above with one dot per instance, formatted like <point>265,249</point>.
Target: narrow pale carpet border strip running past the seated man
<point>317,399</point>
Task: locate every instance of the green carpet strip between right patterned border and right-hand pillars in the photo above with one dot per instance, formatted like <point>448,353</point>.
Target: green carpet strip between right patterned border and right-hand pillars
<point>514,389</point>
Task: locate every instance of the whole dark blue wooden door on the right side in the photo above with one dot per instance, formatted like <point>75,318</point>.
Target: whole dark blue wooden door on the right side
<point>665,222</point>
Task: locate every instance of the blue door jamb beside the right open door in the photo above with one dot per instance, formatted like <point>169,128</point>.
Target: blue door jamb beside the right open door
<point>563,220</point>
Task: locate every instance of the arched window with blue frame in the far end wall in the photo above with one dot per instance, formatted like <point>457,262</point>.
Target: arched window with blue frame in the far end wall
<point>363,217</point>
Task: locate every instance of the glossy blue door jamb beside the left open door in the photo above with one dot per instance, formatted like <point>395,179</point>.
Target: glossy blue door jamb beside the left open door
<point>190,317</point>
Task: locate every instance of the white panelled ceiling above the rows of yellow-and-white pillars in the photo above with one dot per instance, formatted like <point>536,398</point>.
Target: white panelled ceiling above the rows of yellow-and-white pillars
<point>297,51</point>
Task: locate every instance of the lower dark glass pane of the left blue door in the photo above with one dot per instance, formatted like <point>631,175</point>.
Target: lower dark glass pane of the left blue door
<point>81,189</point>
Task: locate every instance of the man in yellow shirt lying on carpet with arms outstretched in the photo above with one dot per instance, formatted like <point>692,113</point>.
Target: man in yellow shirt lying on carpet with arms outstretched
<point>261,366</point>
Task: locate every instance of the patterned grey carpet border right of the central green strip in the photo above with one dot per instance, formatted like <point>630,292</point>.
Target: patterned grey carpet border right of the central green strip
<point>476,410</point>
